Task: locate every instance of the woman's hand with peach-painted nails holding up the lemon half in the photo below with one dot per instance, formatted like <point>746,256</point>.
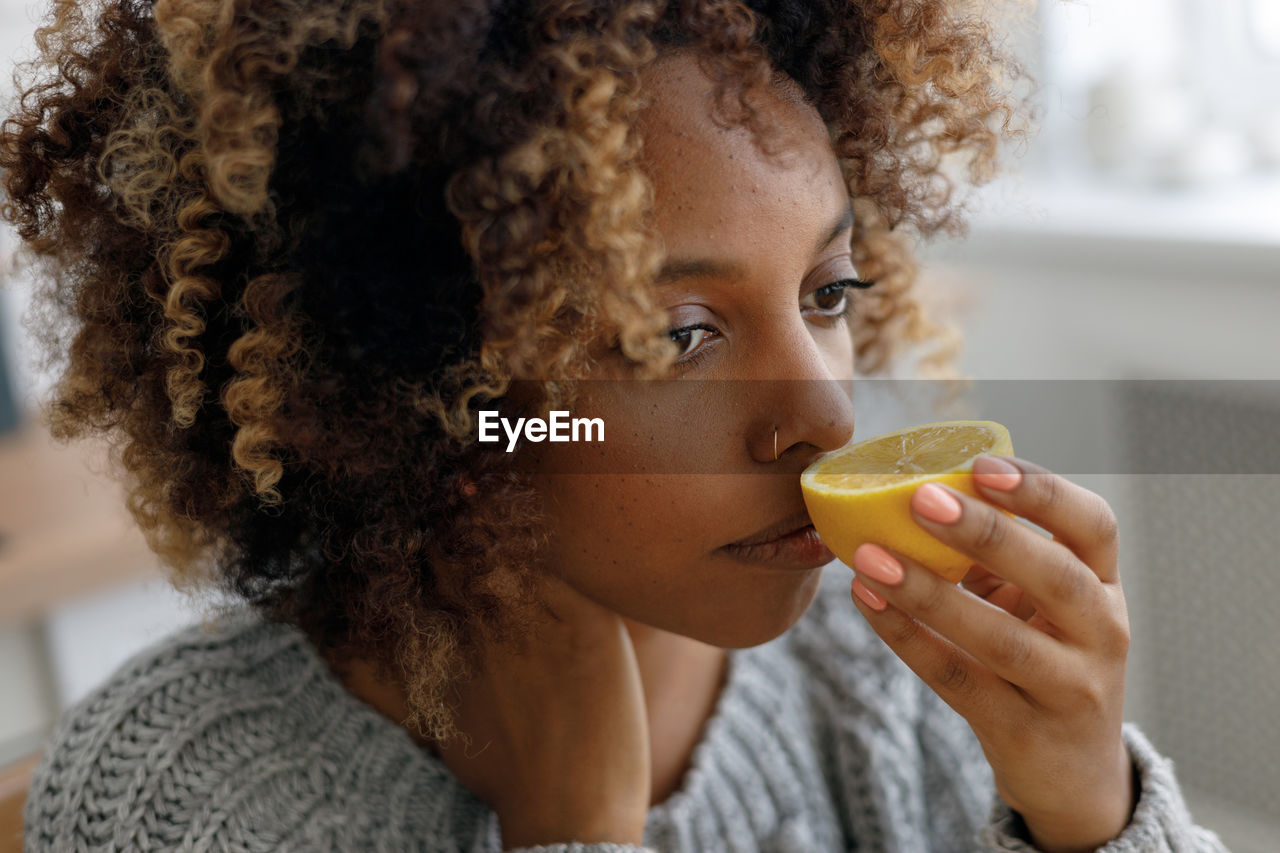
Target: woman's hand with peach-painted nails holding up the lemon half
<point>1031,650</point>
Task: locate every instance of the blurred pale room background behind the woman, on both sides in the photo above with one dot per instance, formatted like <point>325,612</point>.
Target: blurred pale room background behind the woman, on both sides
<point>1133,241</point>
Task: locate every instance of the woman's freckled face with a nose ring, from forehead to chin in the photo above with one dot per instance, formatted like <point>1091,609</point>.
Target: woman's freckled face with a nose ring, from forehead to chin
<point>756,253</point>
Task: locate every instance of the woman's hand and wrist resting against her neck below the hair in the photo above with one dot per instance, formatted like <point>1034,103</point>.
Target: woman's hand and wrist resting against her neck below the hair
<point>560,729</point>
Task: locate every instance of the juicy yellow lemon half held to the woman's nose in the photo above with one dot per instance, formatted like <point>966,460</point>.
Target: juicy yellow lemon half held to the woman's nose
<point>863,492</point>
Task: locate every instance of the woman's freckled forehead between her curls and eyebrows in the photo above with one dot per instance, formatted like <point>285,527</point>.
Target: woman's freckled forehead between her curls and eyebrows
<point>711,181</point>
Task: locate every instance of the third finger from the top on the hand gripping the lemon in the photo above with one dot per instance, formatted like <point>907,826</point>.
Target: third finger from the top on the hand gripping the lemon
<point>1002,642</point>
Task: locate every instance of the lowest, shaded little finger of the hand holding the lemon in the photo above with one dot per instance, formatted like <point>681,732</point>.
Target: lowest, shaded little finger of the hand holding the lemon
<point>961,681</point>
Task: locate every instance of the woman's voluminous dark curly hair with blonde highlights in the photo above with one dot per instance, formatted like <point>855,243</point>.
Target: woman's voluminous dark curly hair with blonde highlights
<point>286,249</point>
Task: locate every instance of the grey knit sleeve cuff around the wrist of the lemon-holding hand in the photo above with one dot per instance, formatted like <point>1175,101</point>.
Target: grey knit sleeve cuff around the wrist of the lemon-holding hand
<point>1162,823</point>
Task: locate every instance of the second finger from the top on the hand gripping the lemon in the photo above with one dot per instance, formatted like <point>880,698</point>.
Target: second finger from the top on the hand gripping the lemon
<point>1066,591</point>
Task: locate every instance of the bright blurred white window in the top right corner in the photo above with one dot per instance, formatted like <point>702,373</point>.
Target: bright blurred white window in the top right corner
<point>1162,92</point>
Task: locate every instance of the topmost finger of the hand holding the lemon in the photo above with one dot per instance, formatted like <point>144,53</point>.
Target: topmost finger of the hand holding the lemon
<point>1080,519</point>
